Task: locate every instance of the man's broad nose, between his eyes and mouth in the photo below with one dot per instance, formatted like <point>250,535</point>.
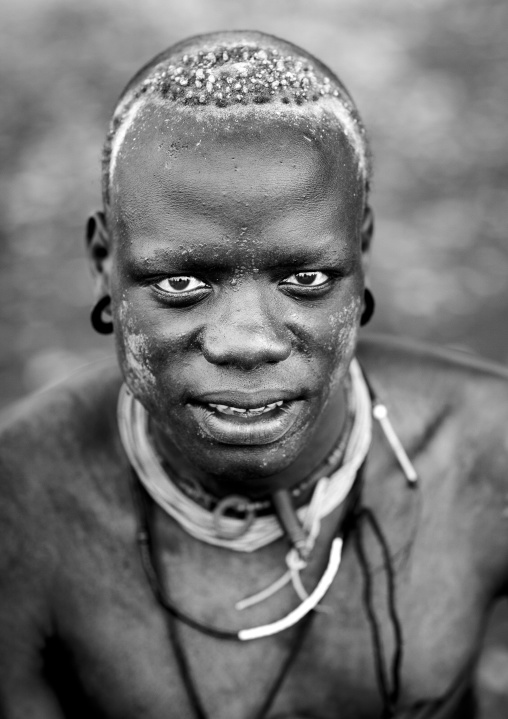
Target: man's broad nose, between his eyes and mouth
<point>246,333</point>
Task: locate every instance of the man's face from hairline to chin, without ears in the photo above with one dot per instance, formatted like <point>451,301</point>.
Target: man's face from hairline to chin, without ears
<point>237,284</point>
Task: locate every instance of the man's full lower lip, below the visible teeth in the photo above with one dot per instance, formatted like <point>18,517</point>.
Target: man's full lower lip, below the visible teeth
<point>234,429</point>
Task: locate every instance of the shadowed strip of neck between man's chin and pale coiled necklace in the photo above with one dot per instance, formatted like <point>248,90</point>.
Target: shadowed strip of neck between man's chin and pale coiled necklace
<point>322,441</point>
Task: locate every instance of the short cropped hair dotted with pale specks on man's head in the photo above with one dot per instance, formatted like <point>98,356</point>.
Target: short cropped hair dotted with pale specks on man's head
<point>221,72</point>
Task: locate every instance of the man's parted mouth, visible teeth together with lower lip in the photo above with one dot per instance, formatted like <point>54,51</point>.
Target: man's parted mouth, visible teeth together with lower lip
<point>247,425</point>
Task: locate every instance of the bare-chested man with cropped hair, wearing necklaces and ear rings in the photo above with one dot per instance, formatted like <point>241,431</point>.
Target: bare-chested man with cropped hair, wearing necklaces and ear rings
<point>296,559</point>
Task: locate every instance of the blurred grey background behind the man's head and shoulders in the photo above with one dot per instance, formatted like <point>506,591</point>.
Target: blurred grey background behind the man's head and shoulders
<point>431,81</point>
